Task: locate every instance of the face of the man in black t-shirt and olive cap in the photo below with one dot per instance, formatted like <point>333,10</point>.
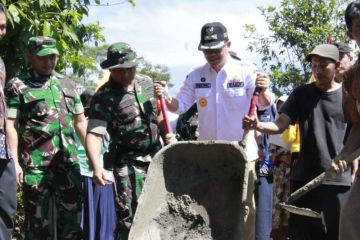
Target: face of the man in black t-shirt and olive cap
<point>323,69</point>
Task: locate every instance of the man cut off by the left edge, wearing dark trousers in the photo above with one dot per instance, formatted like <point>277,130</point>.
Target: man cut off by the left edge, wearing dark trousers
<point>7,169</point>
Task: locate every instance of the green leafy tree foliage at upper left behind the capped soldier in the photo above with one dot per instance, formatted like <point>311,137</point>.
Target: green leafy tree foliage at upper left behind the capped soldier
<point>60,19</point>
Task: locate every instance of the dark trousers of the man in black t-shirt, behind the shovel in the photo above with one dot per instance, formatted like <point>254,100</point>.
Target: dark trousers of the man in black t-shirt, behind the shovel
<point>325,199</point>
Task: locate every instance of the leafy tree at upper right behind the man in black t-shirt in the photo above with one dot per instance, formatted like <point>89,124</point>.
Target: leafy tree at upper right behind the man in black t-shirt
<point>296,27</point>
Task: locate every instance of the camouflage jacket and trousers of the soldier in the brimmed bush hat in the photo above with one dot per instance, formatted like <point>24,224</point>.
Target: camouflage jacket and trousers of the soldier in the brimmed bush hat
<point>130,119</point>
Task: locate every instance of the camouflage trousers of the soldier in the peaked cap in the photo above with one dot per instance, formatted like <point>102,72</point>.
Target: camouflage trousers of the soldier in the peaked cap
<point>52,202</point>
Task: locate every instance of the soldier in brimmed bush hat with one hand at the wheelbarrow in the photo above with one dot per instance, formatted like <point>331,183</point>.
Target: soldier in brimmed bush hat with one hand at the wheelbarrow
<point>125,108</point>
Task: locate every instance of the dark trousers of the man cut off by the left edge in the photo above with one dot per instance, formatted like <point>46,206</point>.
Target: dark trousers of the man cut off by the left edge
<point>8,201</point>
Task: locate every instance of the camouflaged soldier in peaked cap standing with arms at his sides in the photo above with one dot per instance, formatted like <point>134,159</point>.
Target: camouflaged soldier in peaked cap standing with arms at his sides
<point>44,108</point>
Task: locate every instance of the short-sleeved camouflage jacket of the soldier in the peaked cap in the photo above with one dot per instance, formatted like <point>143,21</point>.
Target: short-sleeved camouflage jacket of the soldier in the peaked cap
<point>44,112</point>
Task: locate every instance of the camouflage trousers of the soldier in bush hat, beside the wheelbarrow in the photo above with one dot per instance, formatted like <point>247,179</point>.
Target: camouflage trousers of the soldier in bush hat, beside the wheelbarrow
<point>129,180</point>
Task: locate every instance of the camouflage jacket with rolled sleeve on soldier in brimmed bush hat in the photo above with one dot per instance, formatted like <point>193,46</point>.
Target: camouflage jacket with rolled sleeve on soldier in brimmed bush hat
<point>130,119</point>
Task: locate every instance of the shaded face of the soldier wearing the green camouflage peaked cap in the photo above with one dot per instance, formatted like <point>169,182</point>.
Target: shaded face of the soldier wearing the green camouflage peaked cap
<point>44,65</point>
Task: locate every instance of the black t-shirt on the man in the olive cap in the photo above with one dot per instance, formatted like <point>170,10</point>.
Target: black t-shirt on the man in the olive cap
<point>322,129</point>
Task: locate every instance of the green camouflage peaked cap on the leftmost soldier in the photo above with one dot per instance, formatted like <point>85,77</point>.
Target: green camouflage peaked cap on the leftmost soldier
<point>42,46</point>
